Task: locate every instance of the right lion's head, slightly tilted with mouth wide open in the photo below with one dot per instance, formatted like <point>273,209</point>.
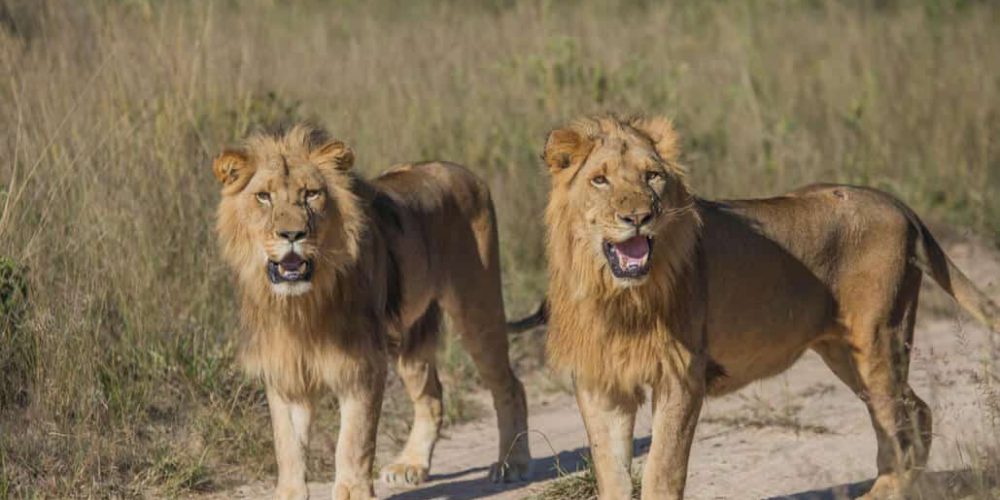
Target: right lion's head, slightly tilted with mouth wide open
<point>620,188</point>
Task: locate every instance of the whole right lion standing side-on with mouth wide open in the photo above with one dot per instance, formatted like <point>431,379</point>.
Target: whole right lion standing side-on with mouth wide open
<point>651,286</point>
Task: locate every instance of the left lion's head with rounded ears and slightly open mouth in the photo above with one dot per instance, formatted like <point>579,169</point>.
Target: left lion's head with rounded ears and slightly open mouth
<point>283,209</point>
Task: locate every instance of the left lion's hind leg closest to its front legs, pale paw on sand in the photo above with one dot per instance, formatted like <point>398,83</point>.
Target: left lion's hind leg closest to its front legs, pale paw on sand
<point>417,368</point>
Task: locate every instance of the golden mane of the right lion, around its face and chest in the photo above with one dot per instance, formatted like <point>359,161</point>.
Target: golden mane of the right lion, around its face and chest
<point>590,316</point>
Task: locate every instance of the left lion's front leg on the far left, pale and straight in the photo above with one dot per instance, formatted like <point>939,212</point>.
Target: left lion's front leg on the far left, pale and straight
<point>290,422</point>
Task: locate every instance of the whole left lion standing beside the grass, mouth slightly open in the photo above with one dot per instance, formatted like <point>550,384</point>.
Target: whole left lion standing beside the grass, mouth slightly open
<point>336,273</point>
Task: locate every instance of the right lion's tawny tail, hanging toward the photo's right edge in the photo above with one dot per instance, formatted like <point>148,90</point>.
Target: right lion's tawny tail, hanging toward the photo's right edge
<point>932,260</point>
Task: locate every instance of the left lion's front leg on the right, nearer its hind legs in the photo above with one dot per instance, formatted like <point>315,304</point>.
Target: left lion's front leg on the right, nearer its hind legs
<point>359,415</point>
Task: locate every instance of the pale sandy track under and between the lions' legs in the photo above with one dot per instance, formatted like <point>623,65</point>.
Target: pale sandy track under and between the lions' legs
<point>800,435</point>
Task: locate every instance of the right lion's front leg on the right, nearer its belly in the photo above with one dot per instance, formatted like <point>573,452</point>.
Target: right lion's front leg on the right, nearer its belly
<point>676,405</point>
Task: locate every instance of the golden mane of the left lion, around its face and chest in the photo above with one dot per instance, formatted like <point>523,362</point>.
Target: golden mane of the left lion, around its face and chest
<point>282,334</point>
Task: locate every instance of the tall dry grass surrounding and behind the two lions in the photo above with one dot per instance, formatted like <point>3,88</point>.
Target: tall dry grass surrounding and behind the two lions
<point>112,110</point>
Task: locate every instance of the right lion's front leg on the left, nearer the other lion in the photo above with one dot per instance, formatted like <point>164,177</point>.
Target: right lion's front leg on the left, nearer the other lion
<point>610,422</point>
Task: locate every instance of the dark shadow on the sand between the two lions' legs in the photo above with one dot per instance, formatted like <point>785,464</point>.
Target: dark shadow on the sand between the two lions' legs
<point>478,486</point>
